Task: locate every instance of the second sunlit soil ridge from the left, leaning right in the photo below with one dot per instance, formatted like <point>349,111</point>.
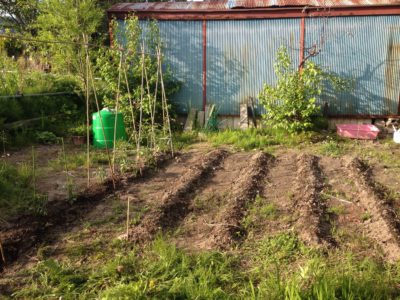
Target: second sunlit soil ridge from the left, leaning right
<point>229,227</point>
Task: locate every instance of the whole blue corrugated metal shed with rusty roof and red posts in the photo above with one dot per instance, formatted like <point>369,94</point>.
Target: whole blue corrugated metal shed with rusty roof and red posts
<point>223,51</point>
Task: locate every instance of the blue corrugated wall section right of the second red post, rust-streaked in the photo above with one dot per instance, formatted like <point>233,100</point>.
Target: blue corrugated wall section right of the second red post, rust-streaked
<point>365,49</point>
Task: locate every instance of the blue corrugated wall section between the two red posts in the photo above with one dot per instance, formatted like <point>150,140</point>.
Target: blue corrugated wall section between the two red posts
<point>241,55</point>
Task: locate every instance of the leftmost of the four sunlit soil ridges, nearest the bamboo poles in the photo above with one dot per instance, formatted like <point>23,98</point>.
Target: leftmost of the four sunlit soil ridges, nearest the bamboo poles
<point>175,202</point>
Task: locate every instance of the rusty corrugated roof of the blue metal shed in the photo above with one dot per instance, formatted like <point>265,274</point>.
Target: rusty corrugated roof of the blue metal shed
<point>226,5</point>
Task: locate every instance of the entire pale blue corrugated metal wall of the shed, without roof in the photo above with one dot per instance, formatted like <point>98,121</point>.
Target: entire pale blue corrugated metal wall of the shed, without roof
<point>241,53</point>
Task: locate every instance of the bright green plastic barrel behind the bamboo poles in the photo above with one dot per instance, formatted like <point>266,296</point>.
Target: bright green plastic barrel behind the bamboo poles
<point>108,117</point>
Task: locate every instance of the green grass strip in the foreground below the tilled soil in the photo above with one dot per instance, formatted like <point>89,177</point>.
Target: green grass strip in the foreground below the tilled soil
<point>276,267</point>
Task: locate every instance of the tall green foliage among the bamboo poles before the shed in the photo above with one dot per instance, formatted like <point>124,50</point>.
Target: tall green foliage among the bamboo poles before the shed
<point>114,64</point>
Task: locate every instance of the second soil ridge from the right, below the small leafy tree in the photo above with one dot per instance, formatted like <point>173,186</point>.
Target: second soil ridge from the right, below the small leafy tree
<point>313,225</point>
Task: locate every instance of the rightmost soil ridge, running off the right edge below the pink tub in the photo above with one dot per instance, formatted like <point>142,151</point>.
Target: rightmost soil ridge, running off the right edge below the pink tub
<point>383,225</point>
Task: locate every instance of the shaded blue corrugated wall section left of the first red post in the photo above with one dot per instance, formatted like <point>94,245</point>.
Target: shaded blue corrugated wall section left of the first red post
<point>182,42</point>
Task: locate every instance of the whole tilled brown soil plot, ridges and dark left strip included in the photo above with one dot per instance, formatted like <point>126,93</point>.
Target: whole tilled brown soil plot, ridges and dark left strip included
<point>203,197</point>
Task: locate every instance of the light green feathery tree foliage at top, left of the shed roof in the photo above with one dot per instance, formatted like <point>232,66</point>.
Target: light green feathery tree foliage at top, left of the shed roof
<point>68,20</point>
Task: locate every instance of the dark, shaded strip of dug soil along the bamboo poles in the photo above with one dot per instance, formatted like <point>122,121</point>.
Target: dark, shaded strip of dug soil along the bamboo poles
<point>20,235</point>
